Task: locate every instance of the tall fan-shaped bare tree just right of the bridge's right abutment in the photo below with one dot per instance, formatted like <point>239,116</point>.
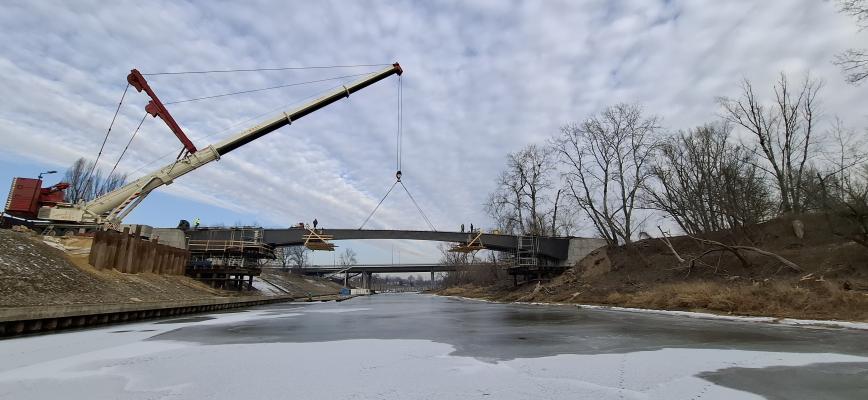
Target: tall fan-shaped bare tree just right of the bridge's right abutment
<point>606,161</point>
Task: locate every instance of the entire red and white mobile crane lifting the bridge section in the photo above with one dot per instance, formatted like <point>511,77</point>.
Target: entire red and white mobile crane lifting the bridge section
<point>27,199</point>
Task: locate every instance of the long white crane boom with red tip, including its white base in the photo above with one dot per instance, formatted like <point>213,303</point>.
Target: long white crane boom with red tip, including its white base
<point>112,207</point>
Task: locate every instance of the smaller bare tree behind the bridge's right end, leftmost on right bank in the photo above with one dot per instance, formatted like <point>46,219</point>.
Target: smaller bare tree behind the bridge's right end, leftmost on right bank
<point>520,202</point>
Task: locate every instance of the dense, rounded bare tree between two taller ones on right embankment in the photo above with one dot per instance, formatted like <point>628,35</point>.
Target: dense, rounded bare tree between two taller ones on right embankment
<point>705,183</point>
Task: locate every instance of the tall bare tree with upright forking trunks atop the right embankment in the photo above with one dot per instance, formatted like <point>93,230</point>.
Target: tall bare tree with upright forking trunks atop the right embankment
<point>783,131</point>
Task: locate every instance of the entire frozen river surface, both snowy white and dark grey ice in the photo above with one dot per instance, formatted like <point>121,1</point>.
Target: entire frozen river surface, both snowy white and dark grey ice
<point>427,347</point>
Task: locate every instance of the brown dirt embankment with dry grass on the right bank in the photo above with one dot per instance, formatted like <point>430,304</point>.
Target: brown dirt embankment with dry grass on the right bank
<point>831,283</point>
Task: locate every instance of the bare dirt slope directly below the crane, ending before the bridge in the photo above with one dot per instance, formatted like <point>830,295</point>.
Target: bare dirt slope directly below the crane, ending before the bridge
<point>33,272</point>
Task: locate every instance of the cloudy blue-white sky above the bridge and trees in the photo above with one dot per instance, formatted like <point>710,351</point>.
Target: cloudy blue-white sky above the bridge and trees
<point>482,78</point>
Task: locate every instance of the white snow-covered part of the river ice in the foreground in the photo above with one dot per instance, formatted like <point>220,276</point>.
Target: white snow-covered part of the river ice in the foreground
<point>116,363</point>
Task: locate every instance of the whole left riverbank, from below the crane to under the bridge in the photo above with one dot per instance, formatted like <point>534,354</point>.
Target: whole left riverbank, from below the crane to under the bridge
<point>37,271</point>
